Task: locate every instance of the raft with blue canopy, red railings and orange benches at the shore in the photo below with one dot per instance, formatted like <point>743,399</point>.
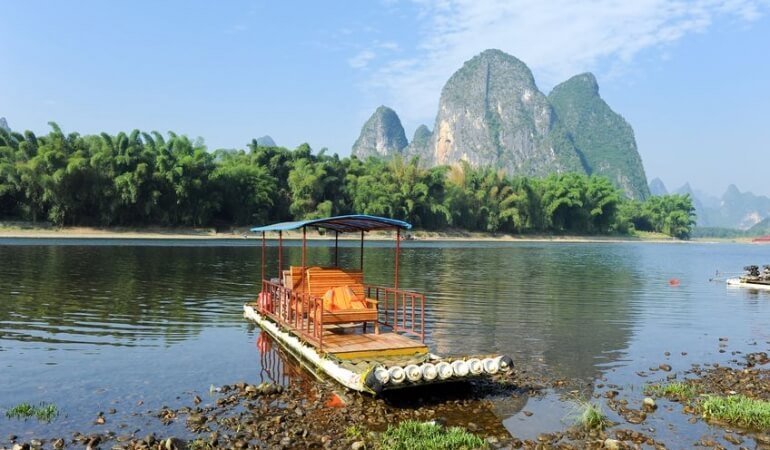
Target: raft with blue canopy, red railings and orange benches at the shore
<point>367,338</point>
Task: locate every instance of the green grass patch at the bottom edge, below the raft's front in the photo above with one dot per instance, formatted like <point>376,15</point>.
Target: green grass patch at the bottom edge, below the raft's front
<point>413,435</point>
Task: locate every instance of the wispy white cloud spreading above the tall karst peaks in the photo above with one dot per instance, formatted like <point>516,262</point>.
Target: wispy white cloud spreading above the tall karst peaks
<point>557,39</point>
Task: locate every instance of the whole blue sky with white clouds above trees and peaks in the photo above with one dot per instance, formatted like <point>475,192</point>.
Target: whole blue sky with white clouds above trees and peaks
<point>691,77</point>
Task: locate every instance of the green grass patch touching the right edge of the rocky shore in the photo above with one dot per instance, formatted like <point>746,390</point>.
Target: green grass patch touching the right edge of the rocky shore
<point>737,410</point>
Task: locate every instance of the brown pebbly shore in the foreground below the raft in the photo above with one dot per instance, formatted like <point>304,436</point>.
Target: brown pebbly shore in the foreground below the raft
<point>319,415</point>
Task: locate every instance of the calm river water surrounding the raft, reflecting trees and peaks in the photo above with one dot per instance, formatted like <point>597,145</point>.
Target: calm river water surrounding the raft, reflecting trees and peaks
<point>134,325</point>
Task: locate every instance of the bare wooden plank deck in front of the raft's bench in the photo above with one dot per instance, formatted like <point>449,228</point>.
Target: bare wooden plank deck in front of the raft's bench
<point>350,343</point>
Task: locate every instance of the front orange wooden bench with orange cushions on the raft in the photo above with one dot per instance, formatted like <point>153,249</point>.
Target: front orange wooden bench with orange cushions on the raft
<point>343,295</point>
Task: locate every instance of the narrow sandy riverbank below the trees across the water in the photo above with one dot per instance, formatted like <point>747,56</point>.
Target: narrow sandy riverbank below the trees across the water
<point>31,231</point>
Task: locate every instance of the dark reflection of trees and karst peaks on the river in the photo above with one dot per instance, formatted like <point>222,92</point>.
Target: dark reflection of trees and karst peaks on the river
<point>568,308</point>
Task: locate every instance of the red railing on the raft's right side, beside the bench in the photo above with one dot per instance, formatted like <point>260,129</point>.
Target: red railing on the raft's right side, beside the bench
<point>401,310</point>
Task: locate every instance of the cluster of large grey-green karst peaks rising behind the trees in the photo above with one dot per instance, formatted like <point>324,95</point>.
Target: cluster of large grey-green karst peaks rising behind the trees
<point>492,114</point>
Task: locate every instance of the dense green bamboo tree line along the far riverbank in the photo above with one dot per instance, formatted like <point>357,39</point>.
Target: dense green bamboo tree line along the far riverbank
<point>137,178</point>
